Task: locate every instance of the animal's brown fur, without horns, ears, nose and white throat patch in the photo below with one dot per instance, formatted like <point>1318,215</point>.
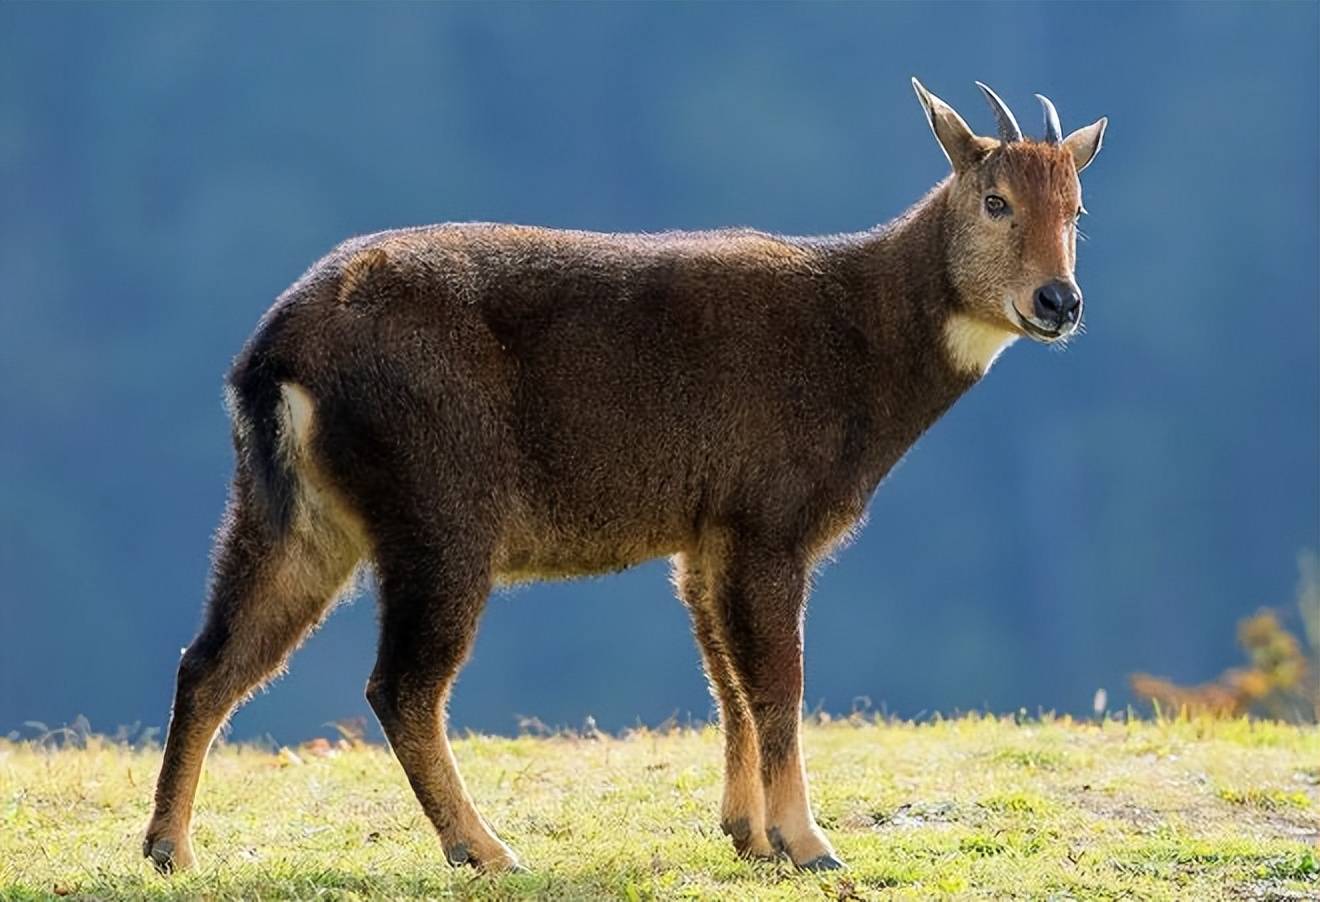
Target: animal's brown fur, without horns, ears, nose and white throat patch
<point>469,405</point>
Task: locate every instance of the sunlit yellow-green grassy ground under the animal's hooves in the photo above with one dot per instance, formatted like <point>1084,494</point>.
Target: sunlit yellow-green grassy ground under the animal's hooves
<point>962,808</point>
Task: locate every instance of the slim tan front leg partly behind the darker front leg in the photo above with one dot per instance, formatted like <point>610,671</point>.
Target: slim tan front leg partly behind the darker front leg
<point>742,814</point>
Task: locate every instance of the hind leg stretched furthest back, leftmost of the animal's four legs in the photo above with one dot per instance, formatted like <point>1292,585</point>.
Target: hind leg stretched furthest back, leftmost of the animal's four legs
<point>267,594</point>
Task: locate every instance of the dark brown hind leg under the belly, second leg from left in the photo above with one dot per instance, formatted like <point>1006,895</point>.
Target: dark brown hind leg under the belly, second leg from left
<point>434,587</point>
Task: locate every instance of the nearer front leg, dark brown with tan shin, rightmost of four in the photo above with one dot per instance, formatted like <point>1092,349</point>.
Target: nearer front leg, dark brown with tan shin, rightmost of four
<point>764,596</point>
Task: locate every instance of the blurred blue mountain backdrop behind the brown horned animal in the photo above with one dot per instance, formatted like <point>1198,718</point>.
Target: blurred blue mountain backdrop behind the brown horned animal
<point>167,170</point>
